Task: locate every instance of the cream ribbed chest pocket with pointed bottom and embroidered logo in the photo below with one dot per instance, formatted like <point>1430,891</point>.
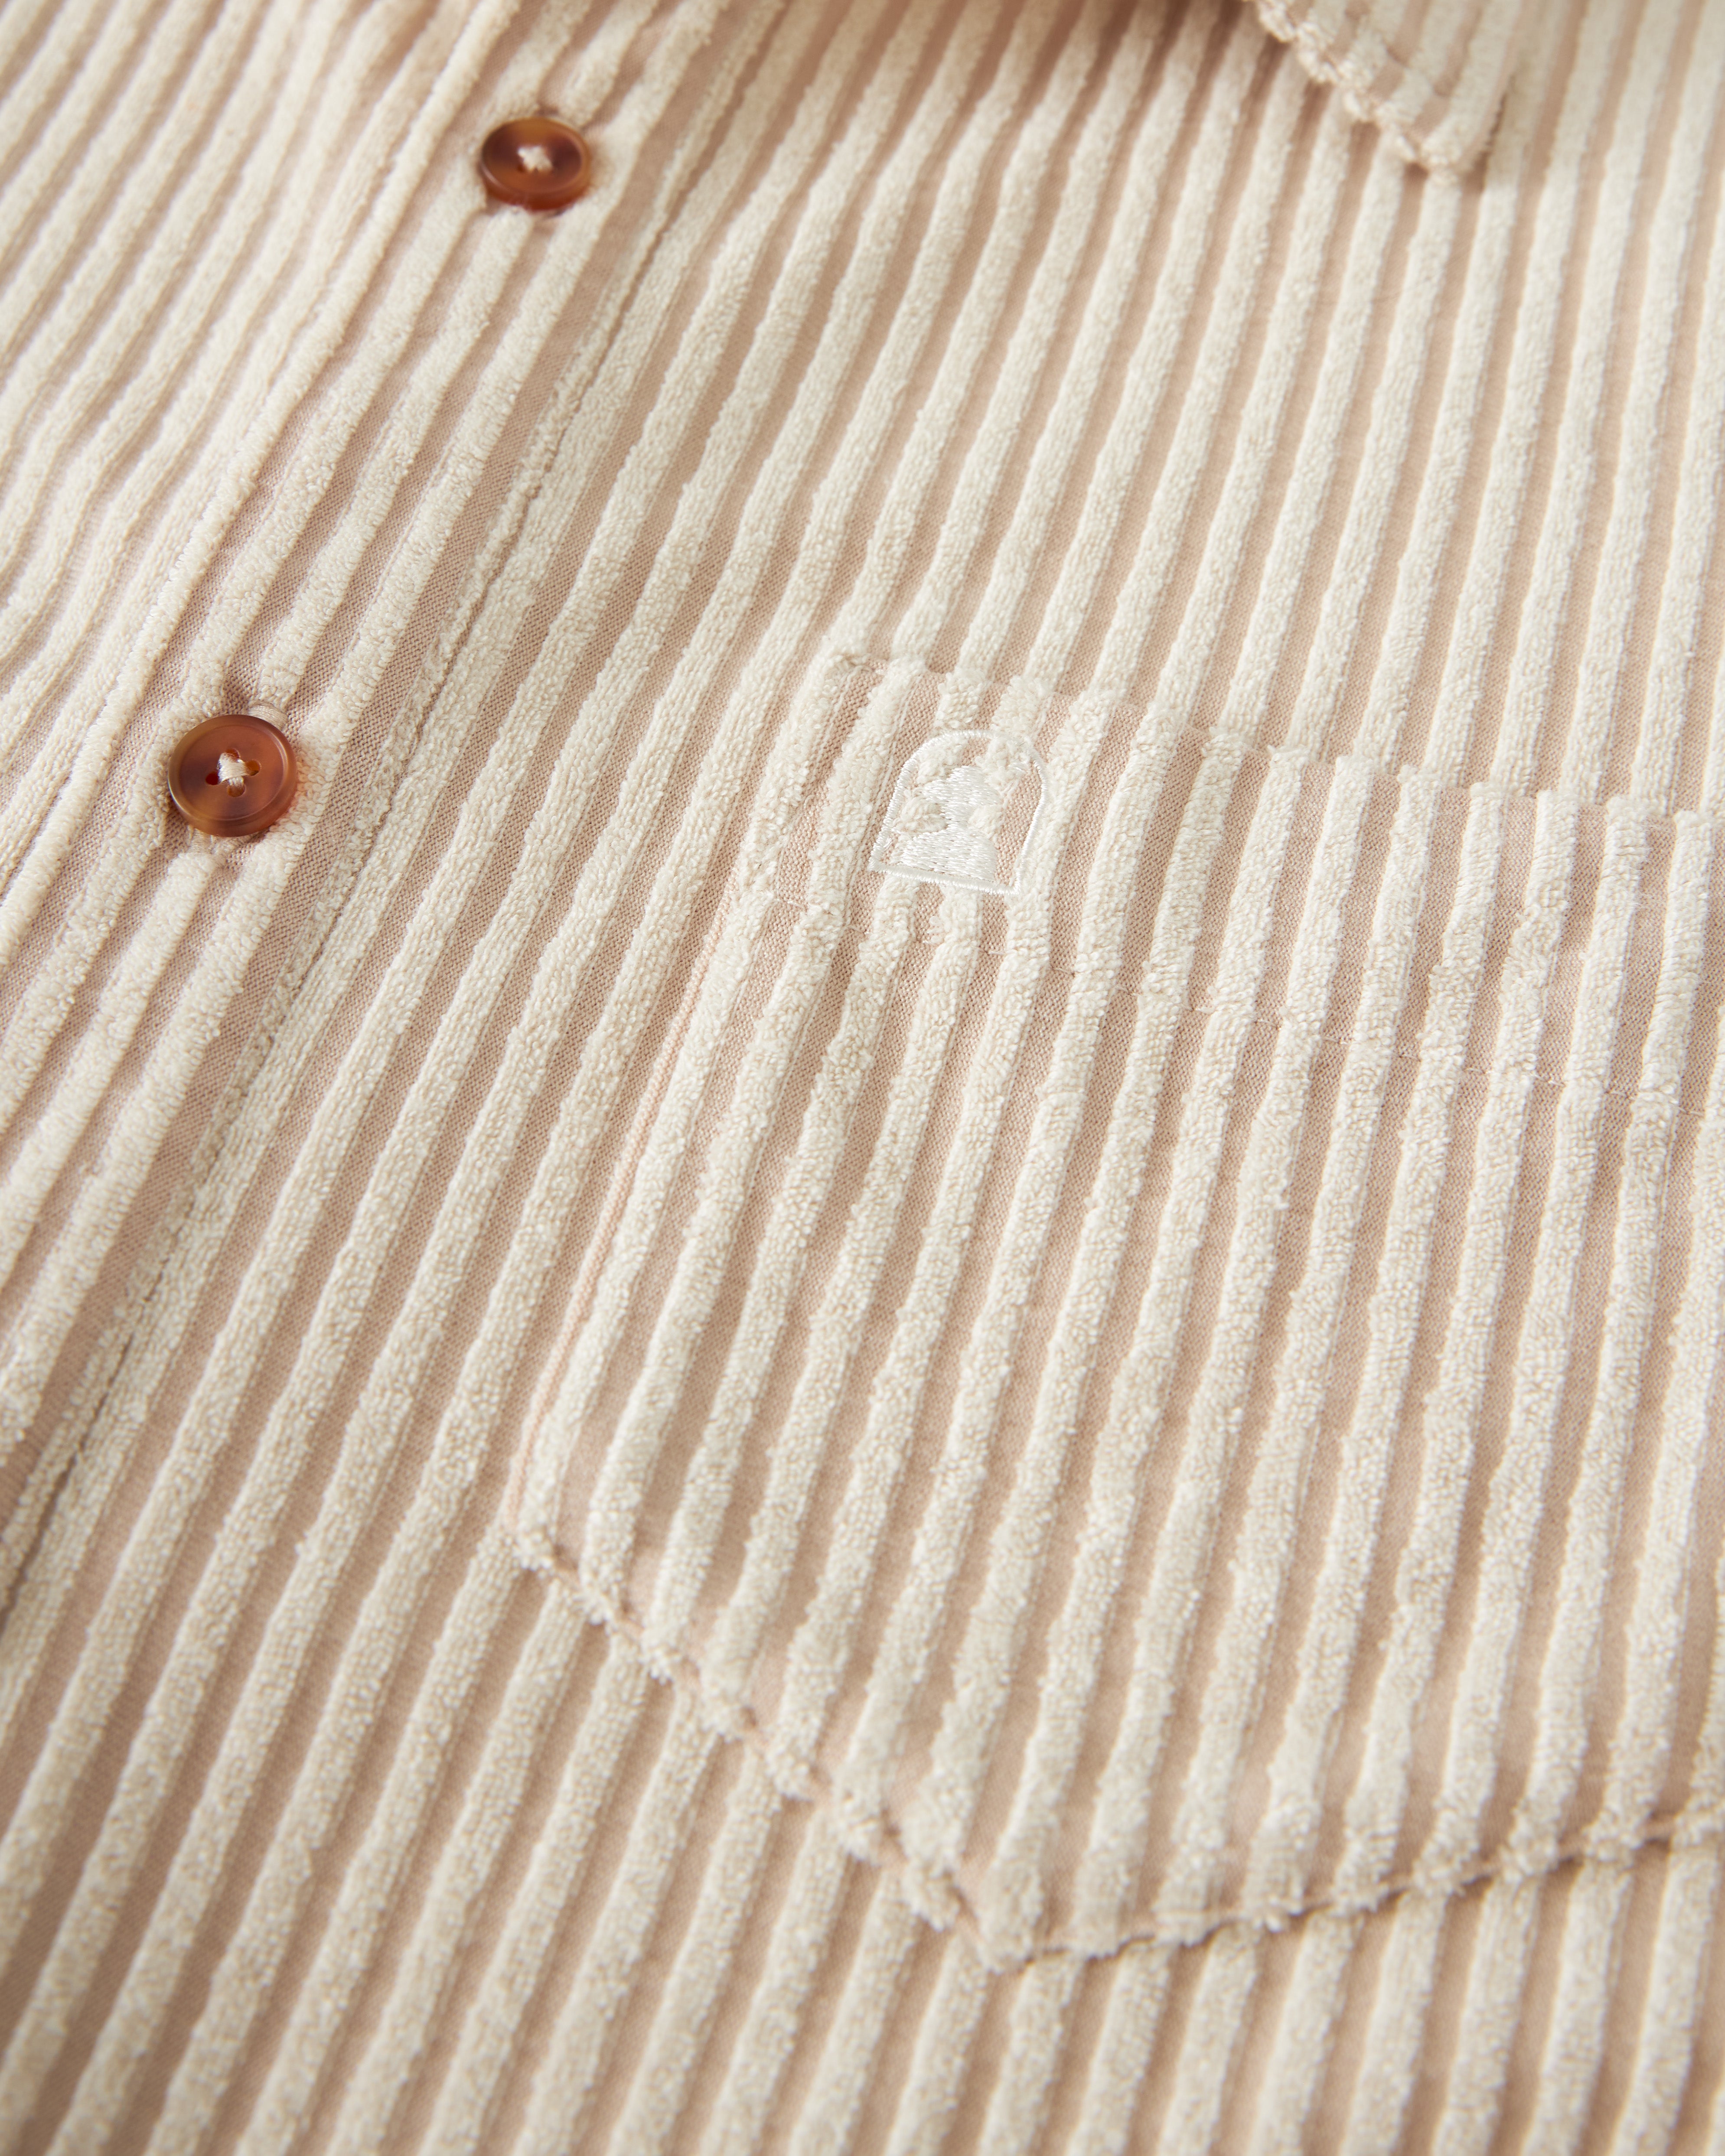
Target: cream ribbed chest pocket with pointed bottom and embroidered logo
<point>1034,1390</point>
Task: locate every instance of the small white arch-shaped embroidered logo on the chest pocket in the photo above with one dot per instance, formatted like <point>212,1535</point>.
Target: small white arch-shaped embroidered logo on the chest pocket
<point>965,812</point>
